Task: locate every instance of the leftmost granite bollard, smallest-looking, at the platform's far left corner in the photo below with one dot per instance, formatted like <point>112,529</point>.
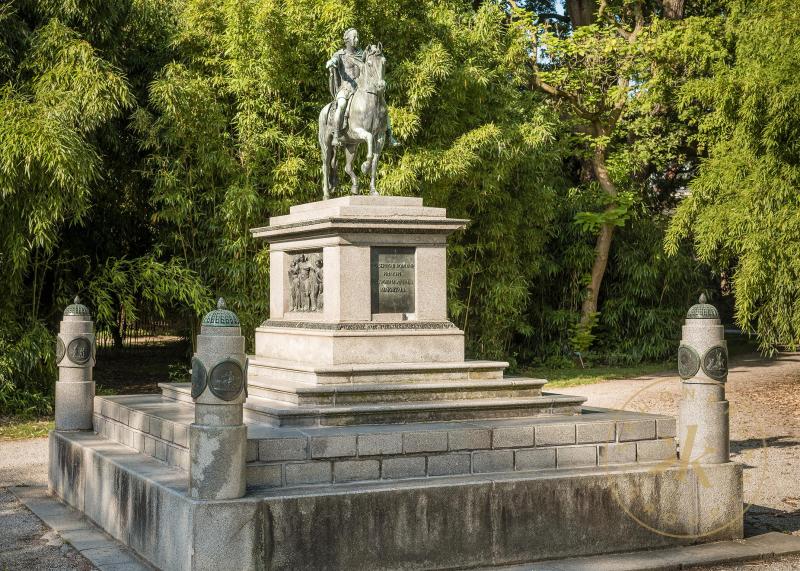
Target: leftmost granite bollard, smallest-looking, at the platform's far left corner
<point>75,355</point>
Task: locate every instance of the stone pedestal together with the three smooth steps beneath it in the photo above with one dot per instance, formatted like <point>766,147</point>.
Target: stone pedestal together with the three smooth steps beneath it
<point>358,330</point>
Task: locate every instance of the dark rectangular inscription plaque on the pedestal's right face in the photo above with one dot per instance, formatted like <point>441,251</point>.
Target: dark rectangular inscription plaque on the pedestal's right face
<point>393,272</point>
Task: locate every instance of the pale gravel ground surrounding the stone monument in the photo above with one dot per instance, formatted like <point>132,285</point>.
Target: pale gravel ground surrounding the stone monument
<point>765,437</point>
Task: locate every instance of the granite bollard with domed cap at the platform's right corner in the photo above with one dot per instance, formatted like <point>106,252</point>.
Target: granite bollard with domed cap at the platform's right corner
<point>703,421</point>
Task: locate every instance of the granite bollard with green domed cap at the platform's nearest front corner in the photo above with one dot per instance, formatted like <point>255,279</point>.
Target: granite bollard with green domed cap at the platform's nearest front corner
<point>218,436</point>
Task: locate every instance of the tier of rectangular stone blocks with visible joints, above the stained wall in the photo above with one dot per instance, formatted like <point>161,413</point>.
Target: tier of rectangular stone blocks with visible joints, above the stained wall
<point>290,457</point>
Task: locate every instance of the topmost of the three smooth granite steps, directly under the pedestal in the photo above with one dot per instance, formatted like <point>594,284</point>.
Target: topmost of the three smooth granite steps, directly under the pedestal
<point>262,370</point>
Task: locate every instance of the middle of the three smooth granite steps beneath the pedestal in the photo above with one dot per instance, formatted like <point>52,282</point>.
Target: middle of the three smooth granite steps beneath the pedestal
<point>379,393</point>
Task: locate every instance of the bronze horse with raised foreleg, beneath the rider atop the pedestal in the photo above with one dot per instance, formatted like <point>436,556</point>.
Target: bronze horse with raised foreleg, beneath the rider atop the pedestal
<point>367,119</point>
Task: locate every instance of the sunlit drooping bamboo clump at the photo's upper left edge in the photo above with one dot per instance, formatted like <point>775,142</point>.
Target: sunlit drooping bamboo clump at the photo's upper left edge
<point>63,91</point>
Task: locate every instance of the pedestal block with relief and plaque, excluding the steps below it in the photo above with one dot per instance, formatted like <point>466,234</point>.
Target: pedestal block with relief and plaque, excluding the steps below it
<point>357,280</point>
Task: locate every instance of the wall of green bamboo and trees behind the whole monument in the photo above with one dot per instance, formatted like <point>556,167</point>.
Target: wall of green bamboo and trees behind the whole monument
<point>141,141</point>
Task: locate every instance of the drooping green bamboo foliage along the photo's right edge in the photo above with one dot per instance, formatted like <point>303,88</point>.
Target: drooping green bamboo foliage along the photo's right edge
<point>743,213</point>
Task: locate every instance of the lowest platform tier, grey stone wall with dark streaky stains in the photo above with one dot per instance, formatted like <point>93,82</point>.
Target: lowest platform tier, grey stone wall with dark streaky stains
<point>446,522</point>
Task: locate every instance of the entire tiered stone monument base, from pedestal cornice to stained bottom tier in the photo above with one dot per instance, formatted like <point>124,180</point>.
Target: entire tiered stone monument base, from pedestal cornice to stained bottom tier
<point>371,443</point>
